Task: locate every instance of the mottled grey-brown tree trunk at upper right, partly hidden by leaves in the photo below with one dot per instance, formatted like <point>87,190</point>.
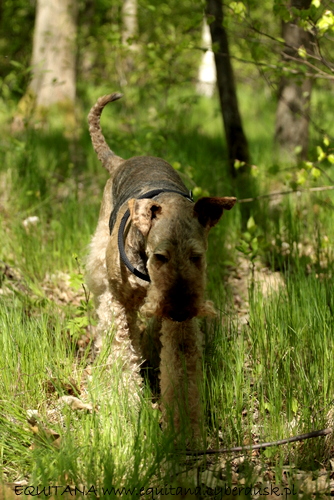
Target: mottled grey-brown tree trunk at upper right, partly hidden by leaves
<point>292,115</point>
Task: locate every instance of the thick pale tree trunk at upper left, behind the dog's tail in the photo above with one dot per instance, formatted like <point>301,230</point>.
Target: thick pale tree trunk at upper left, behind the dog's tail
<point>54,53</point>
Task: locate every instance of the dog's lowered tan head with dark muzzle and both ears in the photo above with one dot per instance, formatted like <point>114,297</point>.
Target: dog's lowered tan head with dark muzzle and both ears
<point>175,232</point>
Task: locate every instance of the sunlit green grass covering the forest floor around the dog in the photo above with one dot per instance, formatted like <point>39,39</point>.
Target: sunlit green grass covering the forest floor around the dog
<point>265,380</point>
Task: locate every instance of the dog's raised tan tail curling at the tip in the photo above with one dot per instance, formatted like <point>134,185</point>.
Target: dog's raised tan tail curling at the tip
<point>109,160</point>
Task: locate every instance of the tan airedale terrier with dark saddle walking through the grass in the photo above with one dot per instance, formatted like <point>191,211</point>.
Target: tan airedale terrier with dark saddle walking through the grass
<point>148,257</point>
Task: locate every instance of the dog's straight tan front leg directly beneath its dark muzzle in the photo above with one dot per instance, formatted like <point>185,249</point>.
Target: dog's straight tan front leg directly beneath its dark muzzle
<point>181,374</point>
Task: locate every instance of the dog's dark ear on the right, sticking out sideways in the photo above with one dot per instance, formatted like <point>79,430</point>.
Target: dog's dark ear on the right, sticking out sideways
<point>209,210</point>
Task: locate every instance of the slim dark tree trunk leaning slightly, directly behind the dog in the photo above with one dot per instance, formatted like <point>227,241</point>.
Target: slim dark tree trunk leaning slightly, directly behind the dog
<point>235,137</point>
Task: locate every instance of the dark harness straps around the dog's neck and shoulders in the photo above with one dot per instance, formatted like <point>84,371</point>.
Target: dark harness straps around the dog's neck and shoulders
<point>150,194</point>
